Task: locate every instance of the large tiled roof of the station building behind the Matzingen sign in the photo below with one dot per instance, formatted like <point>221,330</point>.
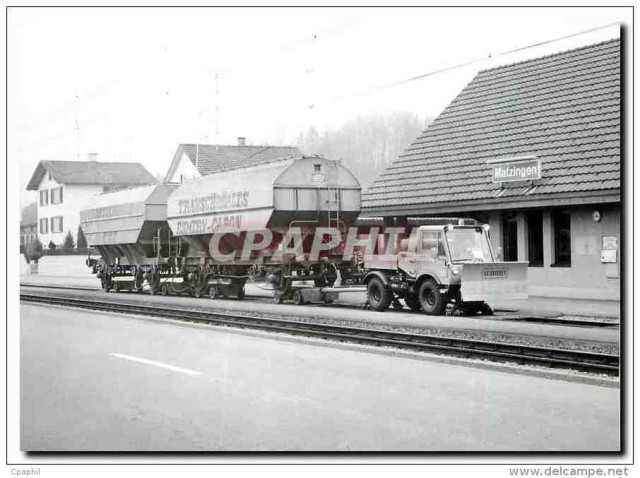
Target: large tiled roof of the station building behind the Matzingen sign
<point>563,108</point>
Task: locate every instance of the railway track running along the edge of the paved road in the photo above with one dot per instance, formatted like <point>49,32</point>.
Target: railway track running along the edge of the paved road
<point>493,351</point>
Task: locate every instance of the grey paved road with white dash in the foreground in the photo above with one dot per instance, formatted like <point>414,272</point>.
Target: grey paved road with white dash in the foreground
<point>93,381</point>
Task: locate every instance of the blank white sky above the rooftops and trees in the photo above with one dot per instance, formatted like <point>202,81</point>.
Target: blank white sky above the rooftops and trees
<point>132,84</point>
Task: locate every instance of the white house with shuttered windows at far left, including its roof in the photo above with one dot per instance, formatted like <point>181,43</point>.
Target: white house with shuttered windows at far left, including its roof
<point>63,187</point>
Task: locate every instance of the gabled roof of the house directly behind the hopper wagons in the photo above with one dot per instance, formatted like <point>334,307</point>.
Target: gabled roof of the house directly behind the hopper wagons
<point>212,158</point>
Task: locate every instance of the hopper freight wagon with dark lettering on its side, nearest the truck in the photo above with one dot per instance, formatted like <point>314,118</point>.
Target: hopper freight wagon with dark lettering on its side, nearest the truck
<point>219,218</point>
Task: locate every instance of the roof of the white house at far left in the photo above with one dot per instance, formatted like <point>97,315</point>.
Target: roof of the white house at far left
<point>92,172</point>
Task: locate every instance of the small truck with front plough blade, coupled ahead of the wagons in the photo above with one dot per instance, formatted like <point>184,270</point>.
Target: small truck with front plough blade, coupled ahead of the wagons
<point>441,264</point>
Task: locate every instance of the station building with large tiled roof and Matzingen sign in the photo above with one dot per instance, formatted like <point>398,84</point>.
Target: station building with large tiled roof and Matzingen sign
<point>532,149</point>
